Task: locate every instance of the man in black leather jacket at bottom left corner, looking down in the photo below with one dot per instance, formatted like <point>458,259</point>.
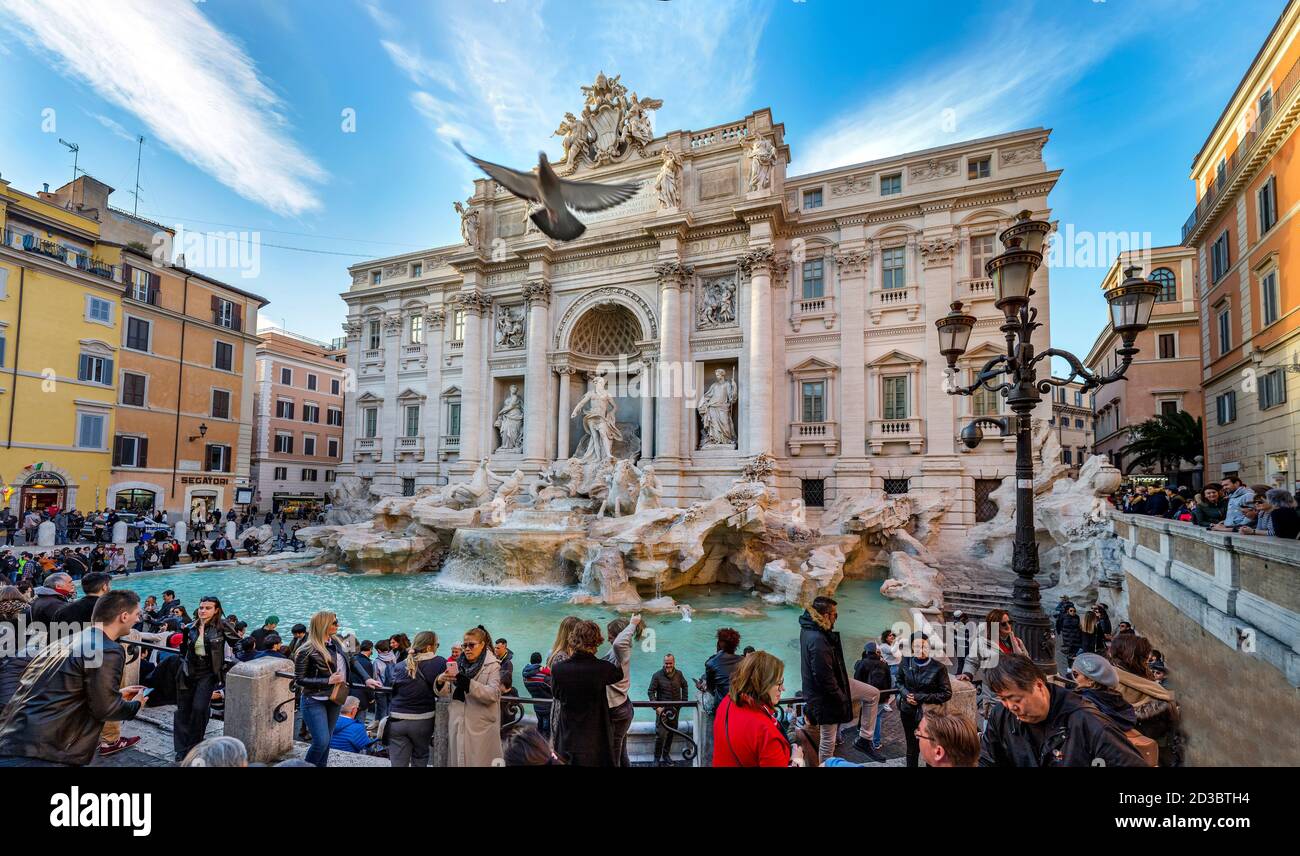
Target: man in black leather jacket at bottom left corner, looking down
<point>70,690</point>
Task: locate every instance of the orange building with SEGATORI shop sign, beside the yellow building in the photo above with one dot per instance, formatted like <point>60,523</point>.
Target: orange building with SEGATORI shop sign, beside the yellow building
<point>183,434</point>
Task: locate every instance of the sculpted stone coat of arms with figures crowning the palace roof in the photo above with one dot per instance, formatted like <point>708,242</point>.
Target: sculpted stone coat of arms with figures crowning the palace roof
<point>613,124</point>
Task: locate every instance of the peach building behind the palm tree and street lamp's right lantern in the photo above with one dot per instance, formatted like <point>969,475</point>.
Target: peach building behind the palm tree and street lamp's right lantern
<point>1165,375</point>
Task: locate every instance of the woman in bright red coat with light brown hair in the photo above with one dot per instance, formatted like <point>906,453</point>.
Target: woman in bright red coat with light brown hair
<point>746,728</point>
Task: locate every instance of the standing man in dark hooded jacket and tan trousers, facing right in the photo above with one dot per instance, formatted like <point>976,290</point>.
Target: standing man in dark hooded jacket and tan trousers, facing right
<point>827,691</point>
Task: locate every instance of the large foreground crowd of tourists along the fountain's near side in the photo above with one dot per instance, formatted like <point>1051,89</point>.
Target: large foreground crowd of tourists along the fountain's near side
<point>1107,704</point>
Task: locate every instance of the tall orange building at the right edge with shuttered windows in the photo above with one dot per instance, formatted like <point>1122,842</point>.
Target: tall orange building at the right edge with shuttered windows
<point>1247,239</point>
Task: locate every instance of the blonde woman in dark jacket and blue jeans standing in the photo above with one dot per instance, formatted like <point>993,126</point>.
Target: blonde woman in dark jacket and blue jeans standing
<point>320,672</point>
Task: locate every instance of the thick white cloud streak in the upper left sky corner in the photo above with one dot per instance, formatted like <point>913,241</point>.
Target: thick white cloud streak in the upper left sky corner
<point>192,85</point>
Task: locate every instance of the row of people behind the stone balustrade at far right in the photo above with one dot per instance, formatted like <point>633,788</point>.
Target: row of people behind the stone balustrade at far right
<point>1221,507</point>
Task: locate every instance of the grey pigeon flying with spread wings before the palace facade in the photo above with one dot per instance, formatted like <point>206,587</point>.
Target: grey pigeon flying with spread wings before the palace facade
<point>556,196</point>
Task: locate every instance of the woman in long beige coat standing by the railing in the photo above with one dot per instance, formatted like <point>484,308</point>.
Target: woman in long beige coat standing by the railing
<point>474,682</point>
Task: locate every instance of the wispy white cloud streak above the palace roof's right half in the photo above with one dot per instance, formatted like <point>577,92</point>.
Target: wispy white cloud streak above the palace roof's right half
<point>987,90</point>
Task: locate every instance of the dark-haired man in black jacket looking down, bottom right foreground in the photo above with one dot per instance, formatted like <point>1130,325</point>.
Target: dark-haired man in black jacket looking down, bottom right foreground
<point>1045,725</point>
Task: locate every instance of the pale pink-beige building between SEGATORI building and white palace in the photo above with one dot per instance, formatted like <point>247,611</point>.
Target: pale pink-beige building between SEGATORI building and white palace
<point>298,434</point>
